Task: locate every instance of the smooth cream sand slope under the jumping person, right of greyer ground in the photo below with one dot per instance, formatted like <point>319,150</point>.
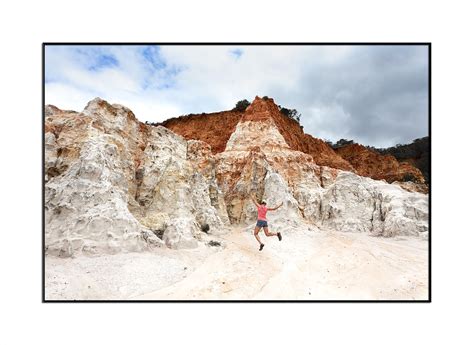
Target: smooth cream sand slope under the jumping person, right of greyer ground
<point>308,265</point>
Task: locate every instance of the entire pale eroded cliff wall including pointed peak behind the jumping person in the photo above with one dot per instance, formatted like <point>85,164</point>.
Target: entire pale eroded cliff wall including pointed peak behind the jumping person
<point>114,184</point>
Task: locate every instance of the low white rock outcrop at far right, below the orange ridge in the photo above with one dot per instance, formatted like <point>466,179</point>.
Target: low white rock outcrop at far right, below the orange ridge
<point>357,203</point>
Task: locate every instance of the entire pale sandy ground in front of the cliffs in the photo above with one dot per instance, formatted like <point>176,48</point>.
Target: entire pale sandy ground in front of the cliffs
<point>305,265</point>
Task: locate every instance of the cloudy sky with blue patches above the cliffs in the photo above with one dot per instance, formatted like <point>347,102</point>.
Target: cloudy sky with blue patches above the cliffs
<point>374,95</point>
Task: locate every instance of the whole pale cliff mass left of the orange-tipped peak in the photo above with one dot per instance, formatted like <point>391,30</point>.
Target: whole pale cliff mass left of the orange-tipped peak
<point>114,184</point>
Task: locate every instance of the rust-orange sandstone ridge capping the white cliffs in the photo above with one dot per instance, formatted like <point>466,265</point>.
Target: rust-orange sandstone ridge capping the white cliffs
<point>216,128</point>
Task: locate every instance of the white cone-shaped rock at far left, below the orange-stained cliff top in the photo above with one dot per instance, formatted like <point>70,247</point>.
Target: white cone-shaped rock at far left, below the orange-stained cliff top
<point>86,206</point>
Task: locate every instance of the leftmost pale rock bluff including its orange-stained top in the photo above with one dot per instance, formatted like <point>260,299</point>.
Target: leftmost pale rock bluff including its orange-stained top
<point>86,193</point>
